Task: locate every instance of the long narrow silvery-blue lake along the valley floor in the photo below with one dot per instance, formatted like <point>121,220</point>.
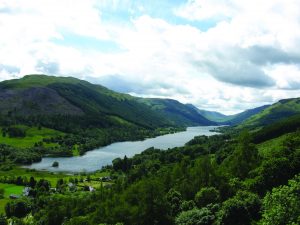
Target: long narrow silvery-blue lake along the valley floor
<point>95,159</point>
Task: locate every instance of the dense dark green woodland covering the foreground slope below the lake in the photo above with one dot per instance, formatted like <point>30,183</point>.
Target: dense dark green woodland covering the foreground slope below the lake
<point>222,179</point>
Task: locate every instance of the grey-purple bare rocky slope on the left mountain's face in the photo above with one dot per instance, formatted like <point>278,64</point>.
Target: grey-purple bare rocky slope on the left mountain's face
<point>35,101</point>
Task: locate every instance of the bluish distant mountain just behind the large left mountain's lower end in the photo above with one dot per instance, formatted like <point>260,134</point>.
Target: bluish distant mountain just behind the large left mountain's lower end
<point>176,112</point>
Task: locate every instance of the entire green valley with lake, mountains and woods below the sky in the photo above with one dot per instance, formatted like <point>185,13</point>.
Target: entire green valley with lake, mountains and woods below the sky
<point>129,160</point>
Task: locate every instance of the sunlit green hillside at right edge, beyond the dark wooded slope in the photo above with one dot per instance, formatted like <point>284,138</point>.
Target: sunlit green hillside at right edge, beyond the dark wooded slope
<point>280,110</point>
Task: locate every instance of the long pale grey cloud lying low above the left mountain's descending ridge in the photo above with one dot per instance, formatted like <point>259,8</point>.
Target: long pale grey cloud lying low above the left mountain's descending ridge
<point>121,84</point>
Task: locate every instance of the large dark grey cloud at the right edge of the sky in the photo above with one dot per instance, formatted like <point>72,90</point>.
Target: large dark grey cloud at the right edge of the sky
<point>244,66</point>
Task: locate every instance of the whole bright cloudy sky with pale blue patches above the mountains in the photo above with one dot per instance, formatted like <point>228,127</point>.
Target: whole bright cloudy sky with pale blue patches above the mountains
<point>223,55</point>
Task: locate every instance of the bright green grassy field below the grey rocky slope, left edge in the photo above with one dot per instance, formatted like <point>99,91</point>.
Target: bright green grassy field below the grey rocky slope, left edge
<point>33,135</point>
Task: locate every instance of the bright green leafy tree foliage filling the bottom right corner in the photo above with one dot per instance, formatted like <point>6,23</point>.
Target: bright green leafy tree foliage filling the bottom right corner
<point>282,205</point>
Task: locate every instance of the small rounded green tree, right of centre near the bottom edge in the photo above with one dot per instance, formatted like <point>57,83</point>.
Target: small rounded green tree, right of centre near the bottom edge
<point>206,196</point>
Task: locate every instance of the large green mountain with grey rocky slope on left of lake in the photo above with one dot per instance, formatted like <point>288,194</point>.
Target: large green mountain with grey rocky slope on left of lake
<point>46,95</point>
